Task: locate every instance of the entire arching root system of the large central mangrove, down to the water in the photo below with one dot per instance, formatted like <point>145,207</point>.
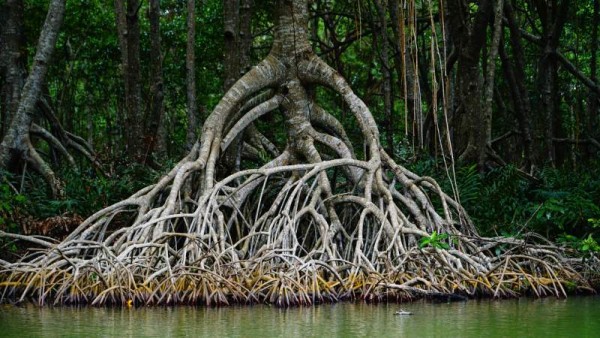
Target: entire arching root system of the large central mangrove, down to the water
<point>313,224</point>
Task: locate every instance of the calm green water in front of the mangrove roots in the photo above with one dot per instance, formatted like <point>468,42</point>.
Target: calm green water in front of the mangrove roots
<point>574,317</point>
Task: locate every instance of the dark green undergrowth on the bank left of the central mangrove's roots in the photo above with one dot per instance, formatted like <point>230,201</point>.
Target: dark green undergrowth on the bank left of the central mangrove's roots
<point>25,199</point>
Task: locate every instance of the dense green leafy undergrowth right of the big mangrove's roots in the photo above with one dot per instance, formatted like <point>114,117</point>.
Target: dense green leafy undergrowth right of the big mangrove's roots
<point>560,203</point>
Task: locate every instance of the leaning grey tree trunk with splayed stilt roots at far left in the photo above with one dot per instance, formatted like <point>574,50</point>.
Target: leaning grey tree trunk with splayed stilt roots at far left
<point>16,149</point>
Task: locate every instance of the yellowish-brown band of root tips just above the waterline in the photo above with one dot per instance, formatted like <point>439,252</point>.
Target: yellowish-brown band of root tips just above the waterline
<point>278,285</point>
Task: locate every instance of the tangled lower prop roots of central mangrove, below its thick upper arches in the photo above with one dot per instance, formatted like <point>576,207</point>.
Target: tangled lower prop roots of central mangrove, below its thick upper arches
<point>278,247</point>
